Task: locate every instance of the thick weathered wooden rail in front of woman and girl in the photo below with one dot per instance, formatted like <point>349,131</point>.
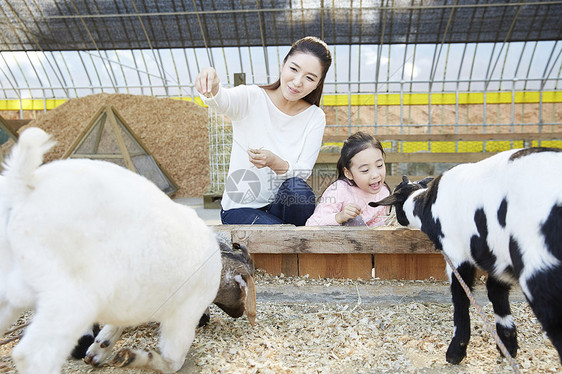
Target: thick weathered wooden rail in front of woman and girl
<point>329,239</point>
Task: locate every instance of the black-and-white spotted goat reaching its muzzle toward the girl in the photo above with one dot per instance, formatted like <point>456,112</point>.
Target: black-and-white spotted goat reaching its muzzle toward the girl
<point>503,215</point>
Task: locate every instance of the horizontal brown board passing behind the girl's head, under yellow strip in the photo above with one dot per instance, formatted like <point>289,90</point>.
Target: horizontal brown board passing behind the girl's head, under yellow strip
<point>395,157</point>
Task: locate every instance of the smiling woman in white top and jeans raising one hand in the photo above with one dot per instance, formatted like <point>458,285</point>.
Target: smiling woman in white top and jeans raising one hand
<point>276,136</point>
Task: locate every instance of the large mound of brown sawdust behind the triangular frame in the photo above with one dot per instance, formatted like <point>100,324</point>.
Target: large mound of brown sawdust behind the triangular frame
<point>174,131</point>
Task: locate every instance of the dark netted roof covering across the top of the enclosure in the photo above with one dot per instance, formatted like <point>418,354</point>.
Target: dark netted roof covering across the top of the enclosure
<point>58,25</point>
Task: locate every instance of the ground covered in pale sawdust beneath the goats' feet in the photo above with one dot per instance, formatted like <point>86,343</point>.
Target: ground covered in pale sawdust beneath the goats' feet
<point>357,334</point>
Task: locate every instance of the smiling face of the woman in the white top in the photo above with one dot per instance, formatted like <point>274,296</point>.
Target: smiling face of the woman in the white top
<point>300,75</point>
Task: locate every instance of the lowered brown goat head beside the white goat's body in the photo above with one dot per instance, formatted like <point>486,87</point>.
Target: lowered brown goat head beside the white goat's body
<point>237,292</point>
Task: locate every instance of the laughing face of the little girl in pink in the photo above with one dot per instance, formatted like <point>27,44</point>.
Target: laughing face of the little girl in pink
<point>367,170</point>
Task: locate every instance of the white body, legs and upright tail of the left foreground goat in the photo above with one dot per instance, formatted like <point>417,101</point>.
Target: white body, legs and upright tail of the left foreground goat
<point>84,241</point>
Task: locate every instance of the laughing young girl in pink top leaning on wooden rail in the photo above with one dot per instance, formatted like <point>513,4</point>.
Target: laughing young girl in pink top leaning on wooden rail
<point>361,174</point>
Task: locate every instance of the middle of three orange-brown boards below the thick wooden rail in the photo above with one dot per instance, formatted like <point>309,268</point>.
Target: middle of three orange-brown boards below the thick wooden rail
<point>350,266</point>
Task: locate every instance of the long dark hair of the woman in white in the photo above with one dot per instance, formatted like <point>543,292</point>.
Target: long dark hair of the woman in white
<point>316,47</point>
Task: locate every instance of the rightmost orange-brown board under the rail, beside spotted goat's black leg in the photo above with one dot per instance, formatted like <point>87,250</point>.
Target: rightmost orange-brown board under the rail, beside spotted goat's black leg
<point>406,266</point>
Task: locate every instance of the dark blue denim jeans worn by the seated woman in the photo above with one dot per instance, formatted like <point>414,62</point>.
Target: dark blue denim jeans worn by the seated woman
<point>294,204</point>
